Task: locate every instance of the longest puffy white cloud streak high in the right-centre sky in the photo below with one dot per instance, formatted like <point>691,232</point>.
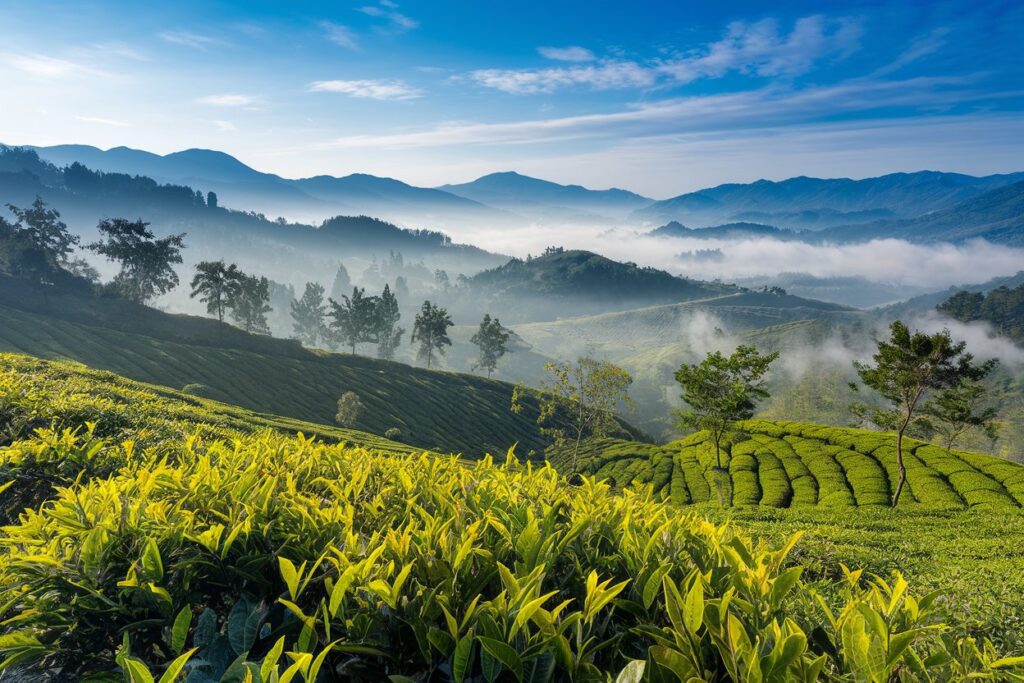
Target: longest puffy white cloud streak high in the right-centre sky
<point>759,49</point>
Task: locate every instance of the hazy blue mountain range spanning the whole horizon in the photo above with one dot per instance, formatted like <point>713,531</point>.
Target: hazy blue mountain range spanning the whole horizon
<point>924,206</point>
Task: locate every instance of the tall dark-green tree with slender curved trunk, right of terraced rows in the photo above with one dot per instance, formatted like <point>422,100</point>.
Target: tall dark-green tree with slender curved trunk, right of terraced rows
<point>910,369</point>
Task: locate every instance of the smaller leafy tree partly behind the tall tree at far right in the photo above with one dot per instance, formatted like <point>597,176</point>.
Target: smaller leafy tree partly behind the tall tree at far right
<point>958,410</point>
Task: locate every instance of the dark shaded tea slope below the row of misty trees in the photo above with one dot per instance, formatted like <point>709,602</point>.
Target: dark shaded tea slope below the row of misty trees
<point>434,410</point>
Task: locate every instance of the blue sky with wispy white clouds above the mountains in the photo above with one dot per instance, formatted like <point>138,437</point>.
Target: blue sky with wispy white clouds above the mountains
<point>660,98</point>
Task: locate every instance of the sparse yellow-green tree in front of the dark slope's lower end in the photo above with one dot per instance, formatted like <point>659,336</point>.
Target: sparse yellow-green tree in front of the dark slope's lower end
<point>579,400</point>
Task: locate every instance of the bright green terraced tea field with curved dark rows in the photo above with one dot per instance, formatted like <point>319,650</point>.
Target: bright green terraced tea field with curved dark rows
<point>793,464</point>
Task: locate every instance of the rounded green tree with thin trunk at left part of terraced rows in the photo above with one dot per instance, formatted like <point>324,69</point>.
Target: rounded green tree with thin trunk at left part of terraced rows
<point>721,391</point>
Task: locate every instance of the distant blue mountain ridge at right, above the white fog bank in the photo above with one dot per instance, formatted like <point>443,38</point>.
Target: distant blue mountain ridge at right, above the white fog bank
<point>837,201</point>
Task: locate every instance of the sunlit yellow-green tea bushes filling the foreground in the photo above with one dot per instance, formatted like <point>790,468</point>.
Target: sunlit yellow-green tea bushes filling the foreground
<point>179,538</point>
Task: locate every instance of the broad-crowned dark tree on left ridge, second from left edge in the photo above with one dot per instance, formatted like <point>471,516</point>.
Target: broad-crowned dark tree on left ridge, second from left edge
<point>147,264</point>
